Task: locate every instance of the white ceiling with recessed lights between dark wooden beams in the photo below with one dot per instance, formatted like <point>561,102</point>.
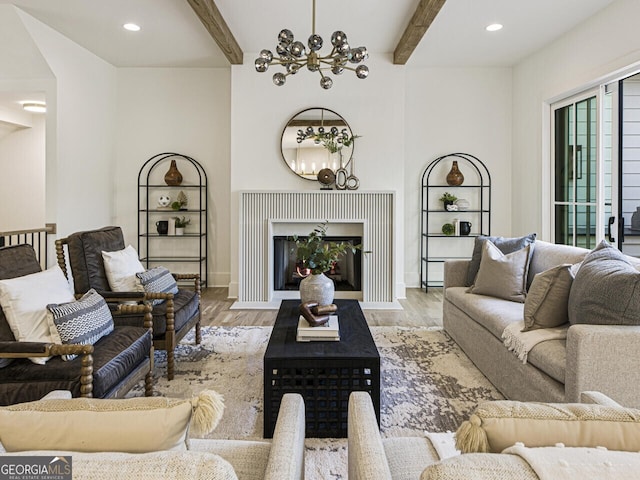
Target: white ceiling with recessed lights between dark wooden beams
<point>173,36</point>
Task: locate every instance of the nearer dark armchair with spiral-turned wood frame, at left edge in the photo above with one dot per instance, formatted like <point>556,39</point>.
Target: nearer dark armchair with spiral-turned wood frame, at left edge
<point>107,369</point>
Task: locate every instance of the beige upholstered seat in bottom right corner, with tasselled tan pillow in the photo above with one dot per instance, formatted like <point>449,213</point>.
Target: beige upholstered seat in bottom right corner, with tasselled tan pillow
<point>372,457</point>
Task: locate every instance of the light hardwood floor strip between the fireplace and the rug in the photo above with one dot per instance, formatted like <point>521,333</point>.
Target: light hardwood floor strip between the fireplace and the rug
<point>420,309</point>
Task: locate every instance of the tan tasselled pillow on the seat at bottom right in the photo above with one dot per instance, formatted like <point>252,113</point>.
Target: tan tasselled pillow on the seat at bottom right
<point>497,425</point>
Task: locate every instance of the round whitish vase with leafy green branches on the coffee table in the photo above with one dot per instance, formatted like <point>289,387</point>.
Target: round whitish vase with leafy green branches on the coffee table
<point>319,256</point>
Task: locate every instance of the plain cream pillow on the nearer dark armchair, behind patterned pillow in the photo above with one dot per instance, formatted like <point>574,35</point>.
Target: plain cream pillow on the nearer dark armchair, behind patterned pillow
<point>25,299</point>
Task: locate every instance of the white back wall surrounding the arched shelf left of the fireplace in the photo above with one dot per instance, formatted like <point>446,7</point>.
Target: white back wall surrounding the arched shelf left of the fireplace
<point>183,111</point>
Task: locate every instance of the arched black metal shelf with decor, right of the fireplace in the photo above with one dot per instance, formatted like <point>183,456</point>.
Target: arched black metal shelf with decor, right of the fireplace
<point>455,209</point>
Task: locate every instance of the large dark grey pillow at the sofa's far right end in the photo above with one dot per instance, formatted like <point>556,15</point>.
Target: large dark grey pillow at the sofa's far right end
<point>606,290</point>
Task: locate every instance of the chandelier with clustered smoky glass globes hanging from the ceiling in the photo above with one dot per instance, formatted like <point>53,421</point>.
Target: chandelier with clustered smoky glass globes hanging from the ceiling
<point>293,55</point>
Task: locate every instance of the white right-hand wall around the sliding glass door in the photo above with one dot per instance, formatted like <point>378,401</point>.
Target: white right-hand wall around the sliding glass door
<point>603,44</point>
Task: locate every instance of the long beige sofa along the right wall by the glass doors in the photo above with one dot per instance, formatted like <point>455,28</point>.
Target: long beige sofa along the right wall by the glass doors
<point>592,357</point>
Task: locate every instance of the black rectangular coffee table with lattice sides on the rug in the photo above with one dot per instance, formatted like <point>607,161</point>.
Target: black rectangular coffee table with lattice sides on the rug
<point>324,373</point>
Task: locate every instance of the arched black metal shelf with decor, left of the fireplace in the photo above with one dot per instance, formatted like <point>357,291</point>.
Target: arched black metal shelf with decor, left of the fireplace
<point>172,214</point>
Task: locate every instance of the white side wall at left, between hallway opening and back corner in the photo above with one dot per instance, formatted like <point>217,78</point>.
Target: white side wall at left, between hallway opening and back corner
<point>80,127</point>
